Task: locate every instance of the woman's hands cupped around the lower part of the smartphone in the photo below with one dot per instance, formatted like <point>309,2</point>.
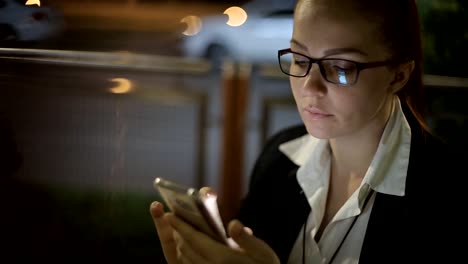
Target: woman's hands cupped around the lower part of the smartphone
<point>183,244</point>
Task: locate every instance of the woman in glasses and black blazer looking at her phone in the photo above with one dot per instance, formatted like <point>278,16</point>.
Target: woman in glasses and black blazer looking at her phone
<point>359,182</point>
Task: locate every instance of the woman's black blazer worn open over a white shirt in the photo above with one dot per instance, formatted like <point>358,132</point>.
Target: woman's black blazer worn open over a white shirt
<point>419,227</point>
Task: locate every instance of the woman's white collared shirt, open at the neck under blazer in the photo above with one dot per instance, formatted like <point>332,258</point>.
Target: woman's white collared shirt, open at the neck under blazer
<point>386,174</point>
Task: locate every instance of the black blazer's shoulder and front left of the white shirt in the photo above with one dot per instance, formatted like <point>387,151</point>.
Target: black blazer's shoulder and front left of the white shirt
<point>273,187</point>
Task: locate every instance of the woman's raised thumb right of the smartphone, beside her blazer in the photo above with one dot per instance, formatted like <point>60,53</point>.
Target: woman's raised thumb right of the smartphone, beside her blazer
<point>251,245</point>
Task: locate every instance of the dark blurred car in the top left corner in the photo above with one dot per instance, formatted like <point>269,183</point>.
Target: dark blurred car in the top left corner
<point>21,22</point>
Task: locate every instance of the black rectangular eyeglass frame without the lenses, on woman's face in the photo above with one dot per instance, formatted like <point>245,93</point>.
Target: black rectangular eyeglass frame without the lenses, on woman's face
<point>359,65</point>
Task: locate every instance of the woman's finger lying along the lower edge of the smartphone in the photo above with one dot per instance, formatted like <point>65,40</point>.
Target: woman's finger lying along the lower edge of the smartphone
<point>198,241</point>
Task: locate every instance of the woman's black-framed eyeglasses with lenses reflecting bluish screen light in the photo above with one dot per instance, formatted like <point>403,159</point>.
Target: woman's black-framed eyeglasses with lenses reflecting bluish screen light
<point>336,71</point>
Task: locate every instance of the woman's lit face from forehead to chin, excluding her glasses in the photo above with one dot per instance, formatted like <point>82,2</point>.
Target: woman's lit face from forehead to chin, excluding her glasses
<point>329,110</point>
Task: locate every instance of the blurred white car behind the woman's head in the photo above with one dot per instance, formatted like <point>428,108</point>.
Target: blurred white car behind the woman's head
<point>267,29</point>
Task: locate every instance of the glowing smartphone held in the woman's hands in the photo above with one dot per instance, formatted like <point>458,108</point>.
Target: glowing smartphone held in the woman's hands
<point>196,208</point>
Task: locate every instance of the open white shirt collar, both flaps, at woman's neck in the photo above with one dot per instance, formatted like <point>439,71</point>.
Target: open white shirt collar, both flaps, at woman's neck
<point>391,157</point>
